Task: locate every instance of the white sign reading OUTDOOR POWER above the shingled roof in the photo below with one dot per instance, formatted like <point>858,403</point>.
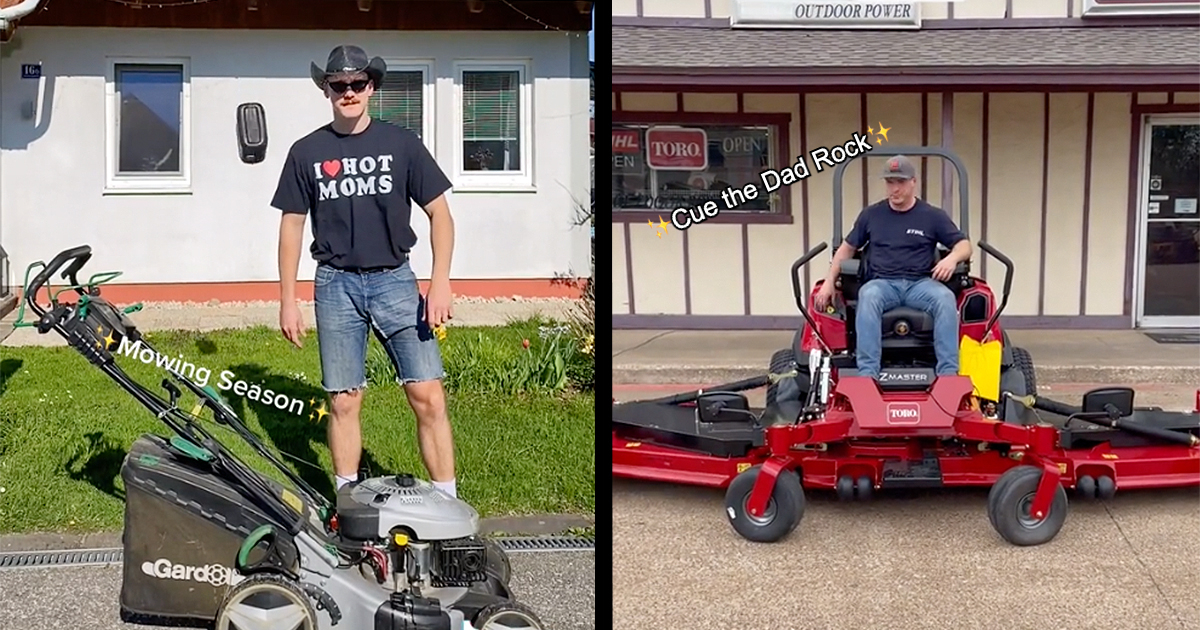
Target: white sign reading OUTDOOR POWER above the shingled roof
<point>826,14</point>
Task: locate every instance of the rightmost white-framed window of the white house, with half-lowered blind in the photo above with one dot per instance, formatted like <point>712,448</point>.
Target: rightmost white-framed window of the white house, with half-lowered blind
<point>495,129</point>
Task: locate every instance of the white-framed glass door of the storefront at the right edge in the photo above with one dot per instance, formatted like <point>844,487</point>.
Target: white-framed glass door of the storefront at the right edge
<point>1169,254</point>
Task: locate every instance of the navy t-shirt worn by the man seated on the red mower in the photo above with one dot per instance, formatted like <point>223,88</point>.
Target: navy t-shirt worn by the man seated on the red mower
<point>904,245</point>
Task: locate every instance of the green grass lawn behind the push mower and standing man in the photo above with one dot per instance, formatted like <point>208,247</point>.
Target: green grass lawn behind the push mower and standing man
<point>65,428</point>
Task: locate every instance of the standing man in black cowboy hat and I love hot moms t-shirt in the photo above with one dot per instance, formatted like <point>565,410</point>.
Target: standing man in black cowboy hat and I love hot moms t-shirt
<point>357,177</point>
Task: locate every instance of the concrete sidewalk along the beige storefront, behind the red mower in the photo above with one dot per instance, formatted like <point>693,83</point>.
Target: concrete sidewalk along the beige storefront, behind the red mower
<point>1106,357</point>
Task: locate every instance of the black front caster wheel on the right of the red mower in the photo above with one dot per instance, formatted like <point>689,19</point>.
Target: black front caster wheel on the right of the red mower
<point>1010,508</point>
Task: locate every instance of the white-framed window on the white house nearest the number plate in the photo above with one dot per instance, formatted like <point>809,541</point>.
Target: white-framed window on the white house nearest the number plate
<point>148,127</point>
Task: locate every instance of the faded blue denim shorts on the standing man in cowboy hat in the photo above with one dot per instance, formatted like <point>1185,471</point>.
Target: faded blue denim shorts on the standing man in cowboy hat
<point>388,303</point>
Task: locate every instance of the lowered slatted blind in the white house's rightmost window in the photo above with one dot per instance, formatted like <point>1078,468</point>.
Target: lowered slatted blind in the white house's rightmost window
<point>490,106</point>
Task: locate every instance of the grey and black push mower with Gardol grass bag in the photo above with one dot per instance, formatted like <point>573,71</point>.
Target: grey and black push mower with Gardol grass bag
<point>209,543</point>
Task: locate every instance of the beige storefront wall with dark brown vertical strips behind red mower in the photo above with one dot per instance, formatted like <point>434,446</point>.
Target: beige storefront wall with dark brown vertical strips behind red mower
<point>1015,175</point>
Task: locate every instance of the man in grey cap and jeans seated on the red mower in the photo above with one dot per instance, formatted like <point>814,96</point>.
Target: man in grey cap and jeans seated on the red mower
<point>904,269</point>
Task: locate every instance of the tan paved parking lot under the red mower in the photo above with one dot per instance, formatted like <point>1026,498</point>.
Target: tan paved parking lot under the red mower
<point>922,560</point>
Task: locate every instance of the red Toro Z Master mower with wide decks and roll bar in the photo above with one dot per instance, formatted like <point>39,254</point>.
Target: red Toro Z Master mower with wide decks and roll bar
<point>826,428</point>
